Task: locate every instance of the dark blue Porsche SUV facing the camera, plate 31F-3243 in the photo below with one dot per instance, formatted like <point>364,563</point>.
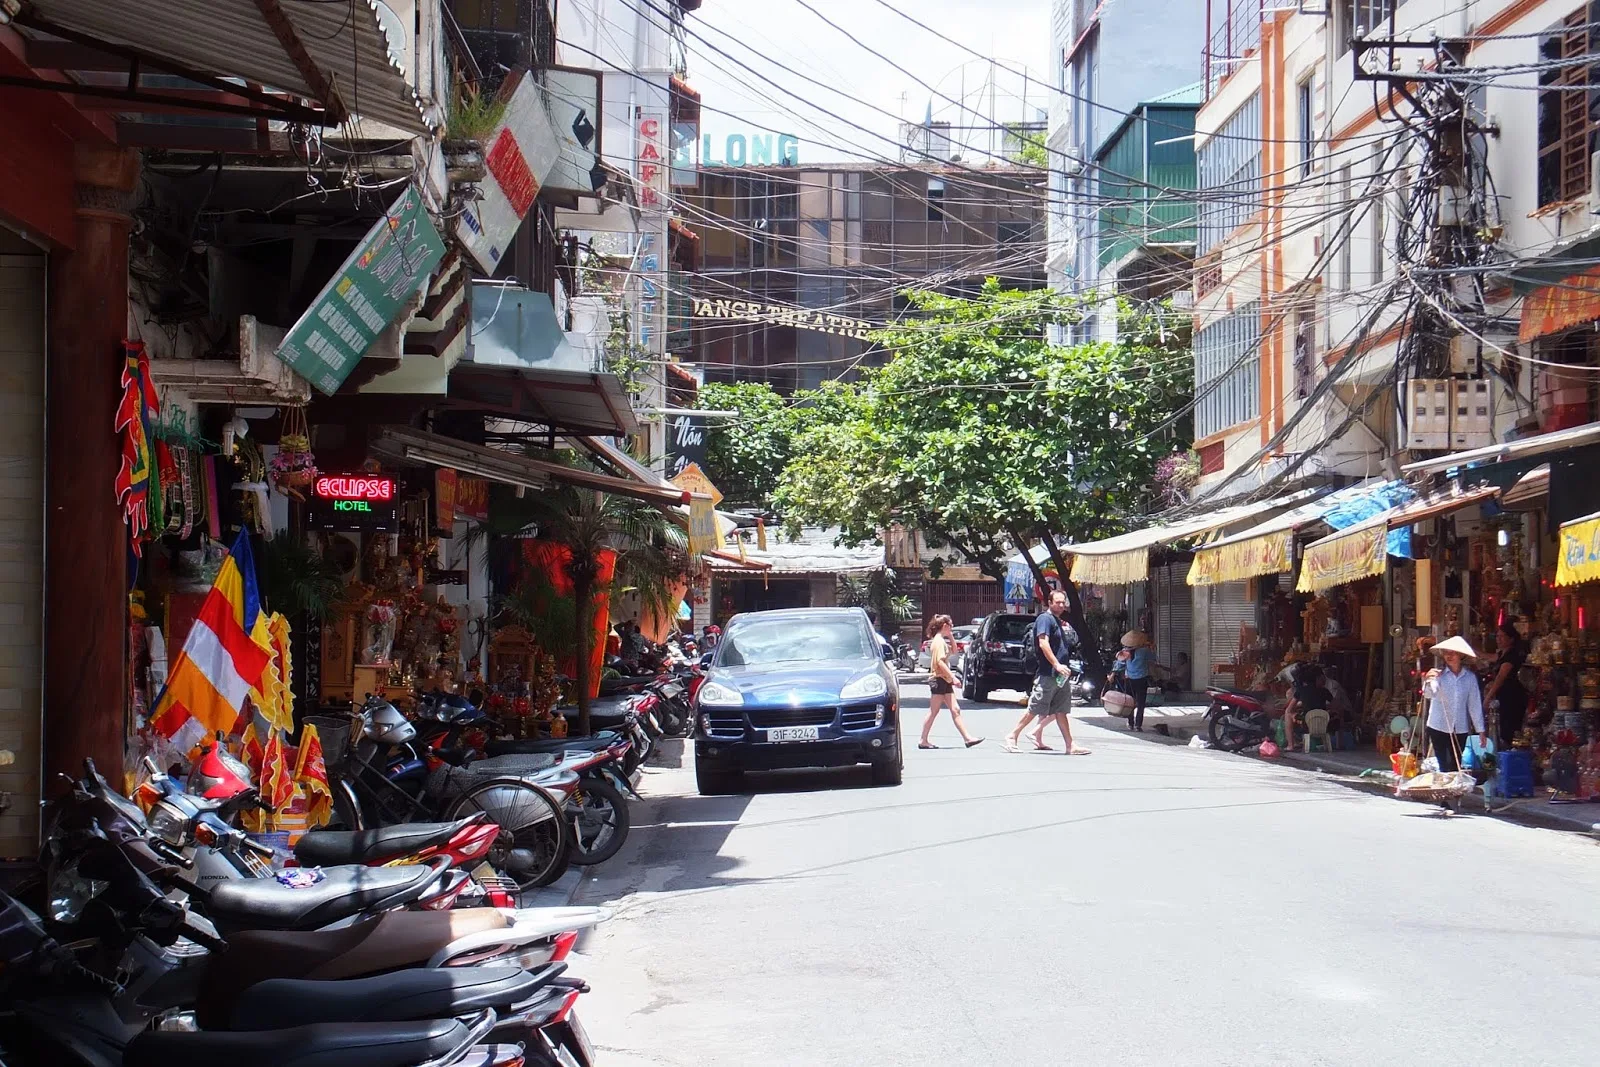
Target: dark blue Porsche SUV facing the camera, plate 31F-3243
<point>804,687</point>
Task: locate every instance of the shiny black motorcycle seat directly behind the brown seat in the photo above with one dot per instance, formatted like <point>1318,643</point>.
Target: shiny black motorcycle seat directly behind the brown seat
<point>338,893</point>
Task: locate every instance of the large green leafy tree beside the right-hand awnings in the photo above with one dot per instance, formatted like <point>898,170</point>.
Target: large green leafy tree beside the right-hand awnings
<point>983,434</point>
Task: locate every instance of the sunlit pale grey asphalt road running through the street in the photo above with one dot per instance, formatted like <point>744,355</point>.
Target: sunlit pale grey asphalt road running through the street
<point>1145,905</point>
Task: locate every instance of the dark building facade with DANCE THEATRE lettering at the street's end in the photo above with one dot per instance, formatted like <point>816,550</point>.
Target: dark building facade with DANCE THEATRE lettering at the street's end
<point>799,263</point>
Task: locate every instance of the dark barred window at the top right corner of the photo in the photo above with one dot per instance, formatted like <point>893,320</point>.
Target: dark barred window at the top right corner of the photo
<point>1566,126</point>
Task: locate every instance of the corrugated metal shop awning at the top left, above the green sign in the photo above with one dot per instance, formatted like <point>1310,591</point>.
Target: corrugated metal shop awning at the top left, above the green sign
<point>337,55</point>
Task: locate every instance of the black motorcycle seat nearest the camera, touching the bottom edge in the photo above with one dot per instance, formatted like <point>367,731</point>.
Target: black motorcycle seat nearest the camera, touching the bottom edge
<point>318,1045</point>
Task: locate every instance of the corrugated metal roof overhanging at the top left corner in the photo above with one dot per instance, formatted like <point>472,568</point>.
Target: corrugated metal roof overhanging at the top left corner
<point>233,39</point>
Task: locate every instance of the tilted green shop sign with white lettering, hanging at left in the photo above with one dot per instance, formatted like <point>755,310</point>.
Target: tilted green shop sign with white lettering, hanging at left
<point>393,262</point>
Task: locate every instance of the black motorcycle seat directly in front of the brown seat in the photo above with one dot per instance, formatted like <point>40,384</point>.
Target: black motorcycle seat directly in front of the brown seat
<point>399,997</point>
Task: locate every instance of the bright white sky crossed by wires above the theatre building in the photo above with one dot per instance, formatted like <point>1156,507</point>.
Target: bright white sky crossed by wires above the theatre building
<point>857,86</point>
